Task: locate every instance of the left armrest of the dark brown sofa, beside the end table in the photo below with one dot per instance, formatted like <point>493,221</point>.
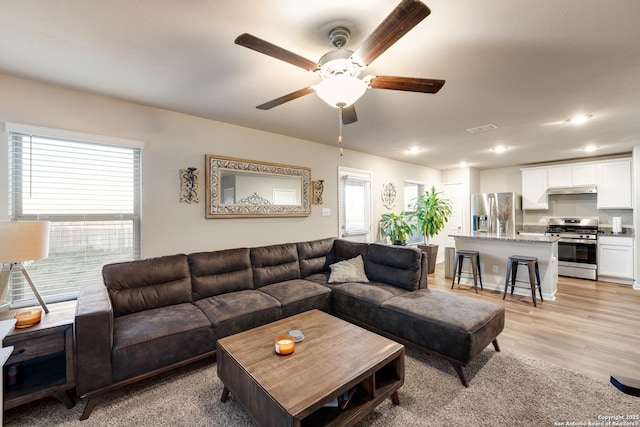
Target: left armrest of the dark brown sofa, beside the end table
<point>93,338</point>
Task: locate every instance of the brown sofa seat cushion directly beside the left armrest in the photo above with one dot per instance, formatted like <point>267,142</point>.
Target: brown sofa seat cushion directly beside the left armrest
<point>151,339</point>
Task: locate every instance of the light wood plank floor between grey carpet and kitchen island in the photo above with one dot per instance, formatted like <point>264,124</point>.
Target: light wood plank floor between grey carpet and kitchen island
<point>591,327</point>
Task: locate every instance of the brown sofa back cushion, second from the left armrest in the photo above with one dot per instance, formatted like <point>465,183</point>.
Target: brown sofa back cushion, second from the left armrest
<point>219,272</point>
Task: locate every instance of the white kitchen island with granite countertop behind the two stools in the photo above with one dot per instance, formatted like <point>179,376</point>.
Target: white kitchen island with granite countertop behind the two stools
<point>494,251</point>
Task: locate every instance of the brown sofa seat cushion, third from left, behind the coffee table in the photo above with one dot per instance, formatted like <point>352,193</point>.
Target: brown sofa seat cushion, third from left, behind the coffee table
<point>299,295</point>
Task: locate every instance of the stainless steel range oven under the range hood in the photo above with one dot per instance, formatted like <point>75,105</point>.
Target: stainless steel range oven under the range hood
<point>577,247</point>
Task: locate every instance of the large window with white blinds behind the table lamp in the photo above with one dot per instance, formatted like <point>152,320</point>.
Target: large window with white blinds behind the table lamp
<point>88,187</point>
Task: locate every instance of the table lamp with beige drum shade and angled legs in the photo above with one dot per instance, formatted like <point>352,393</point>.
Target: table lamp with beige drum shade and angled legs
<point>22,241</point>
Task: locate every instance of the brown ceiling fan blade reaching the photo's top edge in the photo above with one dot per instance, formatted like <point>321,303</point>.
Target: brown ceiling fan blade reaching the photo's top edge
<point>402,19</point>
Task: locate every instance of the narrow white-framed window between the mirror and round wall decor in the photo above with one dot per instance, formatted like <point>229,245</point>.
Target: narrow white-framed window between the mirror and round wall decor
<point>355,203</point>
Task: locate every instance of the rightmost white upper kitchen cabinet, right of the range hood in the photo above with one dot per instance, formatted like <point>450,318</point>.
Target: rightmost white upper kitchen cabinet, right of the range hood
<point>614,184</point>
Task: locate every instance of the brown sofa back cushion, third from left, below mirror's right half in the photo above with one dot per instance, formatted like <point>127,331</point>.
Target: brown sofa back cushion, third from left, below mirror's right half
<point>275,263</point>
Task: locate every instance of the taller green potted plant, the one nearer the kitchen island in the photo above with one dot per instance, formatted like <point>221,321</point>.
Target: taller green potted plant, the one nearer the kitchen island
<point>431,213</point>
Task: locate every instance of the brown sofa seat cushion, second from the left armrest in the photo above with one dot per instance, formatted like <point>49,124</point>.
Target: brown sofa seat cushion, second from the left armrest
<point>235,312</point>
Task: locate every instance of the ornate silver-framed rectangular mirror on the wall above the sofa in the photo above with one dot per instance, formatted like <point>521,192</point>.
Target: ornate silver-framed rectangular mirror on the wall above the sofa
<point>237,188</point>
